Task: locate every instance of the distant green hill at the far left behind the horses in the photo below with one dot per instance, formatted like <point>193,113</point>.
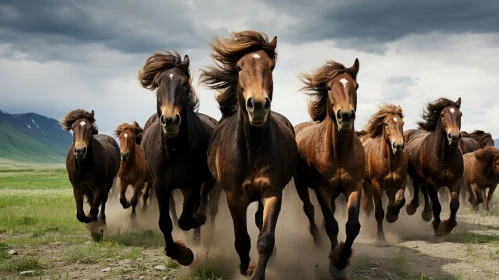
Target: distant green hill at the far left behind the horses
<point>32,138</point>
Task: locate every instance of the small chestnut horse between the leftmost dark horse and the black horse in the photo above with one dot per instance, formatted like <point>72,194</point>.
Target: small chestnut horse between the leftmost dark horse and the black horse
<point>133,169</point>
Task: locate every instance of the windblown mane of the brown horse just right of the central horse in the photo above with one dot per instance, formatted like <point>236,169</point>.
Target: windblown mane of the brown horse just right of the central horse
<point>316,87</point>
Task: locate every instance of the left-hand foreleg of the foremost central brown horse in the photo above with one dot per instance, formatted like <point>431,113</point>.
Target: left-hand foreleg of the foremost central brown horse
<point>237,206</point>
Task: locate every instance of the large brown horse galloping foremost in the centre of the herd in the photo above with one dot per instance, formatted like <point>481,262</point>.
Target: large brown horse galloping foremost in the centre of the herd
<point>253,151</point>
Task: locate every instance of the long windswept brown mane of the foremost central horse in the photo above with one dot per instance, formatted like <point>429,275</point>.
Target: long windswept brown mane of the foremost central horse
<point>223,76</point>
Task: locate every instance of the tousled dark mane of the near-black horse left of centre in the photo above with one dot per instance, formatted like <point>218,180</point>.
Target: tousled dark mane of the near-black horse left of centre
<point>158,63</point>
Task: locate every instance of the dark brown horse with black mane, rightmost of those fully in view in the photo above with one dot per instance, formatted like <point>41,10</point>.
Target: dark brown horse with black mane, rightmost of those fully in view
<point>435,160</point>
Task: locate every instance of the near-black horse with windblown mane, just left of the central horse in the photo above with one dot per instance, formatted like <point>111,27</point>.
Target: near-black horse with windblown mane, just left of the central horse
<point>175,145</point>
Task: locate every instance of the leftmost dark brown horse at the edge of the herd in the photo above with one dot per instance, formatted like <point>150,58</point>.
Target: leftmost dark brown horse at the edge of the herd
<point>92,163</point>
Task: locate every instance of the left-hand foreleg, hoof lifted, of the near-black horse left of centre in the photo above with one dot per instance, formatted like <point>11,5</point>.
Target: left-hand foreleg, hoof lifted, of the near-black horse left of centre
<point>175,250</point>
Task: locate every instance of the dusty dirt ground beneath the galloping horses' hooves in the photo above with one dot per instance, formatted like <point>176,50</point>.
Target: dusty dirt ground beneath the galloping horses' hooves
<point>470,252</point>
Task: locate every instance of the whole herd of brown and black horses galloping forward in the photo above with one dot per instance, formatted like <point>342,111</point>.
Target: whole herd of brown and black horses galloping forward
<point>253,153</point>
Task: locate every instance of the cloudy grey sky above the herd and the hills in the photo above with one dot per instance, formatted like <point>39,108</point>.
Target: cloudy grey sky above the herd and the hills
<point>58,55</point>
